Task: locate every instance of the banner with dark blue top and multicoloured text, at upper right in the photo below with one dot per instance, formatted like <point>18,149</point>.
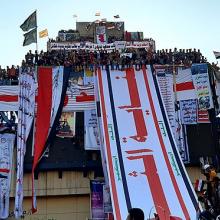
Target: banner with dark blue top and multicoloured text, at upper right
<point>202,86</point>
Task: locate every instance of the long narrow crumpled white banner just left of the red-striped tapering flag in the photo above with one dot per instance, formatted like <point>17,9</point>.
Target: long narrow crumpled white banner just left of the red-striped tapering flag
<point>27,86</point>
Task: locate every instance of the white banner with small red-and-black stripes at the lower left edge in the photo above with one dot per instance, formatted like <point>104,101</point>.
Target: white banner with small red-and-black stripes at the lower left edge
<point>6,155</point>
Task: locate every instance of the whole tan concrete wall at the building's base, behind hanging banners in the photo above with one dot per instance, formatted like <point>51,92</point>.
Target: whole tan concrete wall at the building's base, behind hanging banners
<point>66,198</point>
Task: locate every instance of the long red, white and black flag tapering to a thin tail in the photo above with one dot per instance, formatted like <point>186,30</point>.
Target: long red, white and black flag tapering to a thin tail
<point>52,85</point>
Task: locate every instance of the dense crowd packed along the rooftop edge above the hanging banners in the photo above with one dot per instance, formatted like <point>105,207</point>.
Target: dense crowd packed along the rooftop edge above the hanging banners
<point>117,60</point>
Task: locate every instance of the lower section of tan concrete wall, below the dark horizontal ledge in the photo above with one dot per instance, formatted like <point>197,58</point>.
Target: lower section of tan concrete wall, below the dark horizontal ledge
<point>57,208</point>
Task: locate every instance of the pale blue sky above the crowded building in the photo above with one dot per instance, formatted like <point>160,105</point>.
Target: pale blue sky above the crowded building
<point>171,23</point>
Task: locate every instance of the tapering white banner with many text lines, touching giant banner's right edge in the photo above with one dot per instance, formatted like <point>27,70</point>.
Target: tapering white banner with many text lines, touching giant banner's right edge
<point>165,81</point>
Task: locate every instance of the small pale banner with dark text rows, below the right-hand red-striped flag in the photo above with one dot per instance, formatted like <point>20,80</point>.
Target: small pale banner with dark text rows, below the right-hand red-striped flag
<point>188,110</point>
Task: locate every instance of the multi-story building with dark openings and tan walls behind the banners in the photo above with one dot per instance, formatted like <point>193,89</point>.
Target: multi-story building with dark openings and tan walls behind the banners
<point>64,174</point>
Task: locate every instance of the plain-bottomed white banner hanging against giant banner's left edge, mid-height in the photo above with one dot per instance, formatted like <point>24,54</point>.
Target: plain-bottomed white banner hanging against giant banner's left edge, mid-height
<point>92,138</point>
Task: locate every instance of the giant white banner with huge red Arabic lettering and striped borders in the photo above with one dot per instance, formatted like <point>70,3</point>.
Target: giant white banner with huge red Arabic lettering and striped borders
<point>144,166</point>
